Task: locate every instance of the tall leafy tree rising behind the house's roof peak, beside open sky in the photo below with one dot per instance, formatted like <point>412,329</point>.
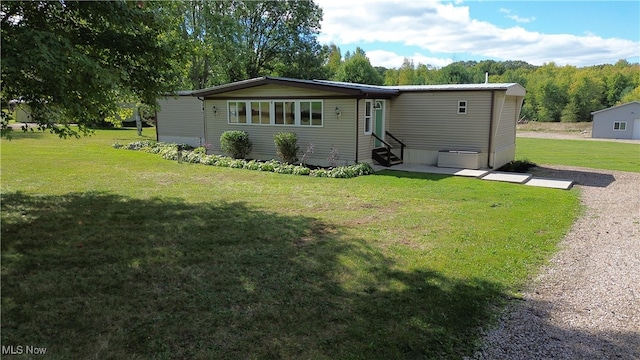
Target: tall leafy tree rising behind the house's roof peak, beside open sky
<point>258,36</point>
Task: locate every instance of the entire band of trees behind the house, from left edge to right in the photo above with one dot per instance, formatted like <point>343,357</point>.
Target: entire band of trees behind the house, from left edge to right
<point>76,61</point>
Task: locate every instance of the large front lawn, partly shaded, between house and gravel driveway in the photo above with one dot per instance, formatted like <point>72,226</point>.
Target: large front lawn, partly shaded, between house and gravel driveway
<point>119,254</point>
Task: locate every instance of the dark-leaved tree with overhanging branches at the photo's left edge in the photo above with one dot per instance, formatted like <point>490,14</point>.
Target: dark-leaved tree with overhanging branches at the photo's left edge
<point>73,61</point>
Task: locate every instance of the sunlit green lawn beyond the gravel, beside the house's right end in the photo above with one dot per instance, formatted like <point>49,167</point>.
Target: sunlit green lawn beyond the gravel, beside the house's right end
<point>582,153</point>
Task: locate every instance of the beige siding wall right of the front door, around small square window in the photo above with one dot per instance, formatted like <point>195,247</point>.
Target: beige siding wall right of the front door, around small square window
<point>429,120</point>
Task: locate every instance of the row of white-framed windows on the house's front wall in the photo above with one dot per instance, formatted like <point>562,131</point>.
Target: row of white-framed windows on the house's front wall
<point>277,112</point>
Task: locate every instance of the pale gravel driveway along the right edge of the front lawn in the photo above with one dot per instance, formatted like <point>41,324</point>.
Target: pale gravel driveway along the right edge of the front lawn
<point>585,304</point>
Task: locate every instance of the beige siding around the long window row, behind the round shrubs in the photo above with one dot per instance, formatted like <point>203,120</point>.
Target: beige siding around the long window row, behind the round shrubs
<point>337,131</point>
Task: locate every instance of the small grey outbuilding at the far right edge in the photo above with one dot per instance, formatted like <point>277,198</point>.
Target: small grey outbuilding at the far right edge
<point>618,122</point>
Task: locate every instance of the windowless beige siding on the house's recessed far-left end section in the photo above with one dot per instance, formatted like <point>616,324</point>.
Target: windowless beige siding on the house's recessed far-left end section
<point>180,119</point>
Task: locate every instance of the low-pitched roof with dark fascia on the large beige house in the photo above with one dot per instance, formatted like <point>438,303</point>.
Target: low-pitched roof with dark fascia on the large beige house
<point>358,90</point>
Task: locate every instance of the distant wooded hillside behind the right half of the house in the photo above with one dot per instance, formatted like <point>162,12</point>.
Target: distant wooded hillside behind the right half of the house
<point>554,93</point>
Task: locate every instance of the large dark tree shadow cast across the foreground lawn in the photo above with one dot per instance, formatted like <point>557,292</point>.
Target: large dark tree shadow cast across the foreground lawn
<point>97,275</point>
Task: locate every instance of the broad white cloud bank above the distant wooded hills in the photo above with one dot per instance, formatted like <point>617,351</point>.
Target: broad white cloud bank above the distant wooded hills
<point>446,30</point>
